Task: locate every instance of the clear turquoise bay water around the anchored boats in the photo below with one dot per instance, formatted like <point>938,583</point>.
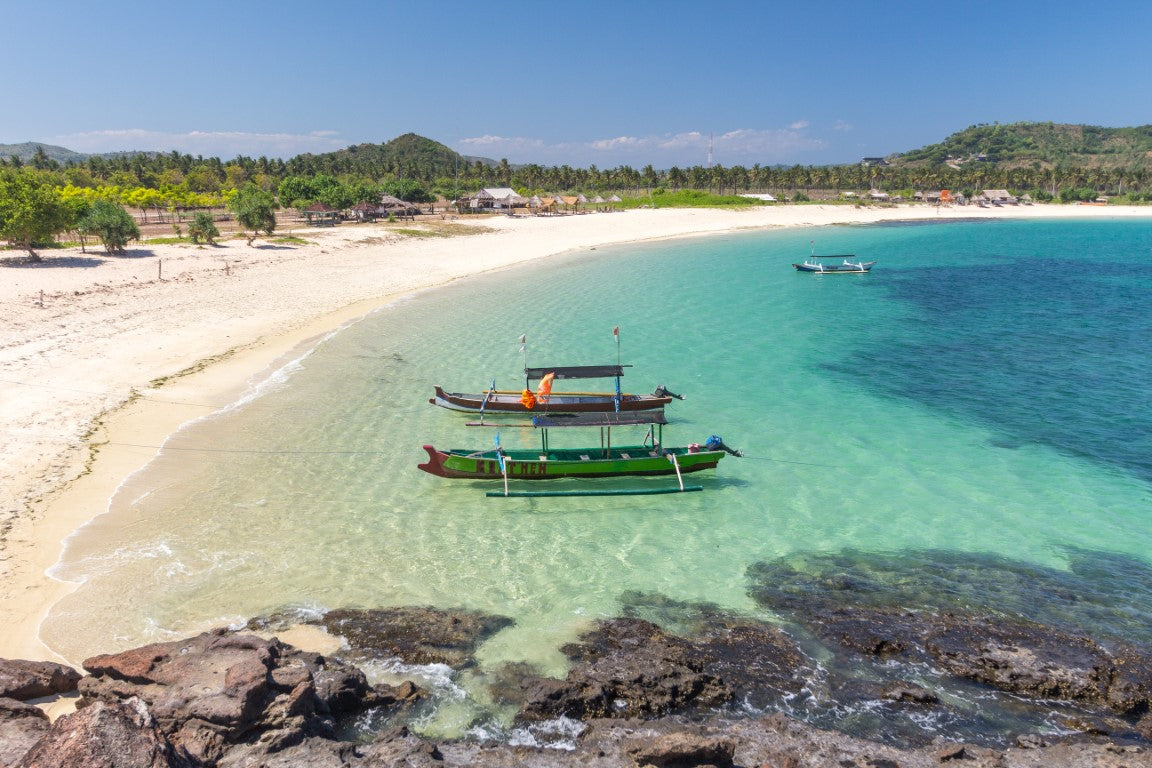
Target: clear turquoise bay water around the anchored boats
<point>986,391</point>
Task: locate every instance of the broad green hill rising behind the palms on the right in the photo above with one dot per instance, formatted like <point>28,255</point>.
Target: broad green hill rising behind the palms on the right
<point>1017,146</point>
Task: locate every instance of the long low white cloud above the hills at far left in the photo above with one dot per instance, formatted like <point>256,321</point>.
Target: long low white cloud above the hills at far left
<point>221,145</point>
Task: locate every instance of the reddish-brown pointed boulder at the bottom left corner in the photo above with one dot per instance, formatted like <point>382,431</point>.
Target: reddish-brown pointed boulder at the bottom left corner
<point>117,735</point>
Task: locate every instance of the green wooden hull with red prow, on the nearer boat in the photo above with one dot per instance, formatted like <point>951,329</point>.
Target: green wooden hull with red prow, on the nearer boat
<point>567,463</point>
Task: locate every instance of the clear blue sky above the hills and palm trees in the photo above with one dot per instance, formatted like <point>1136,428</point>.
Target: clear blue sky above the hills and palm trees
<point>593,82</point>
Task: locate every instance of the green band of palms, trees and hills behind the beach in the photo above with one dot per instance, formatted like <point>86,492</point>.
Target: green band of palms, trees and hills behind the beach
<point>44,194</point>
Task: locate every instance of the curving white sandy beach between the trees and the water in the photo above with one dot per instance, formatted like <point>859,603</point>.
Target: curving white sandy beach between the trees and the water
<point>124,351</point>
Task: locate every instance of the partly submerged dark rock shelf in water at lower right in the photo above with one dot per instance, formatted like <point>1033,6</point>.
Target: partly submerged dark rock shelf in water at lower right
<point>938,617</point>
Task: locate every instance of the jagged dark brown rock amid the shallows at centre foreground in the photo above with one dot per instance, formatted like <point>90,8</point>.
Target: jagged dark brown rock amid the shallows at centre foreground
<point>633,668</point>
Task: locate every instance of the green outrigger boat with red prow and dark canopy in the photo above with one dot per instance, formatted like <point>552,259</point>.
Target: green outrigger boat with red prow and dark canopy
<point>607,461</point>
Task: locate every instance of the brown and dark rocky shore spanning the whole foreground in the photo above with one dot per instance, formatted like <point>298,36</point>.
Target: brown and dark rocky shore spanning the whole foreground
<point>636,695</point>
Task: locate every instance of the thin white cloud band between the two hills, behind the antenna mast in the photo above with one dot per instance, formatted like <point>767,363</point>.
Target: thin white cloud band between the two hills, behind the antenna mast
<point>741,147</point>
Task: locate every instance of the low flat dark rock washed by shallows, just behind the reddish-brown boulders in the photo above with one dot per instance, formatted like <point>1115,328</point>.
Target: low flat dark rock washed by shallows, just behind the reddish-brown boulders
<point>416,635</point>
